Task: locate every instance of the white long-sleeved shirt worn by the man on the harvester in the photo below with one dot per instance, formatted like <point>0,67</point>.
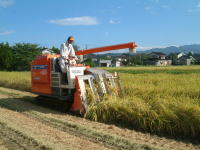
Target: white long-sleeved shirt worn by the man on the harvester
<point>67,50</point>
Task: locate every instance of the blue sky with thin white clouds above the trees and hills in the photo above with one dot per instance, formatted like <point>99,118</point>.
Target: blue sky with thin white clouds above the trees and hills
<point>150,23</point>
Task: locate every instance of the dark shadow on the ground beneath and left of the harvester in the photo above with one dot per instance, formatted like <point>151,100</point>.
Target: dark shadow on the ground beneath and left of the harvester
<point>28,103</point>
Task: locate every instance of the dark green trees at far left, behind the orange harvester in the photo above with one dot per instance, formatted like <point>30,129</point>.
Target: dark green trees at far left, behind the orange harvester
<point>18,57</point>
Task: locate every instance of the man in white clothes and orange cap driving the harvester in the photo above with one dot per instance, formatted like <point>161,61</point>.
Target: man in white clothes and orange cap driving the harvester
<point>67,55</point>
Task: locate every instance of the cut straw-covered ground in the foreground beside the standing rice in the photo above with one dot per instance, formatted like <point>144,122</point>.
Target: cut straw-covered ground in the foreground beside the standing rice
<point>50,129</point>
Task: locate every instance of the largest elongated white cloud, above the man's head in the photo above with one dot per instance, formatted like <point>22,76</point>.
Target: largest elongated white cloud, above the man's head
<point>76,21</point>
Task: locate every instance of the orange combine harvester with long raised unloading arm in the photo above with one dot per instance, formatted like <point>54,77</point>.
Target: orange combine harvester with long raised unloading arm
<point>47,79</point>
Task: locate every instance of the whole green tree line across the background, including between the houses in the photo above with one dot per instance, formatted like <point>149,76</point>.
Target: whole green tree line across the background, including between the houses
<point>18,57</point>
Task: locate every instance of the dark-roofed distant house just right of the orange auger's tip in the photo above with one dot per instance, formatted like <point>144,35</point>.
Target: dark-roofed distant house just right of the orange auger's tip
<point>157,59</point>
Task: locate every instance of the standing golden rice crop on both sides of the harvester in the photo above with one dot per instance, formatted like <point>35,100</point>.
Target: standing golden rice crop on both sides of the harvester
<point>161,100</point>
